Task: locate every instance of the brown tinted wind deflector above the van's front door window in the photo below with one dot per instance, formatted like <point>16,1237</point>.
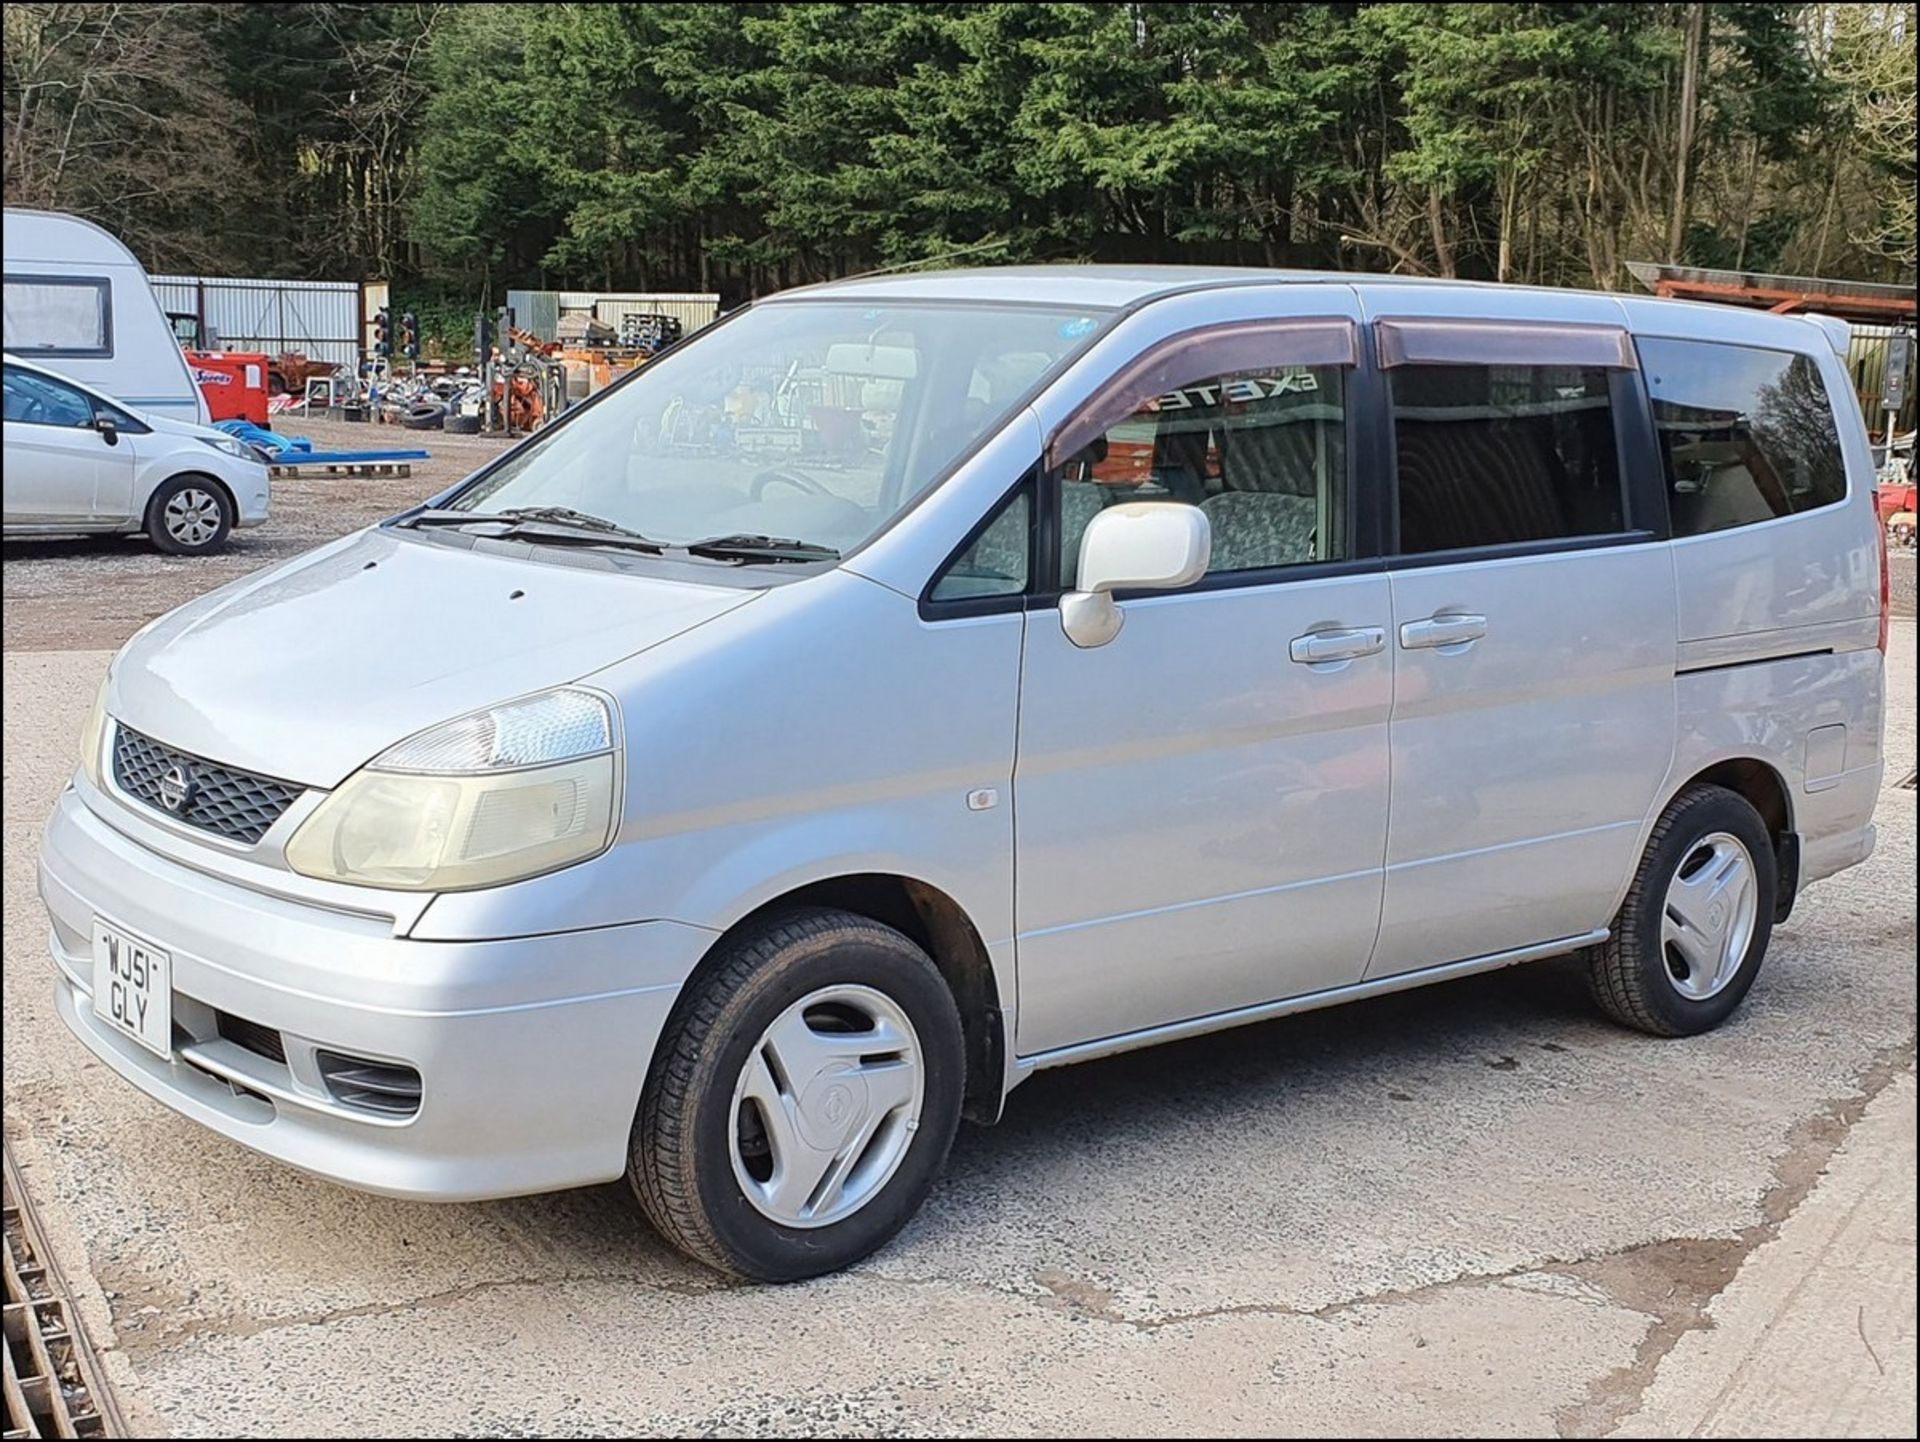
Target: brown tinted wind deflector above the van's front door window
<point>1247,347</point>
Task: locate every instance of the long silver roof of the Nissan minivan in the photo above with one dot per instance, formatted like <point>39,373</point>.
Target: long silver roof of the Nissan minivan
<point>1120,287</point>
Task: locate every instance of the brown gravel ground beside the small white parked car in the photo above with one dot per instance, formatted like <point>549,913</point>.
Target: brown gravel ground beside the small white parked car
<point>95,592</point>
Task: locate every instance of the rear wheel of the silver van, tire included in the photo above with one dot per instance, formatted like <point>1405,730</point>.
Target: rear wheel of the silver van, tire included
<point>1696,921</point>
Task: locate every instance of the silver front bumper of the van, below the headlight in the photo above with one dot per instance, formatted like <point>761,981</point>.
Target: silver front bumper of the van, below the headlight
<point>531,1051</point>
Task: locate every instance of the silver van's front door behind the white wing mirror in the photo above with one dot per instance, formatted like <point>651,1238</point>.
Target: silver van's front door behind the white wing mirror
<point>1201,804</point>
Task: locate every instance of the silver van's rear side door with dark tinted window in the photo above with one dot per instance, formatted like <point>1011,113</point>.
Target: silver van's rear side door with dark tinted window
<point>1535,637</point>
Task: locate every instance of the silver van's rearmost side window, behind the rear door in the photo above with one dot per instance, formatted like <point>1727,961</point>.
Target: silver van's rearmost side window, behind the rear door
<point>1746,435</point>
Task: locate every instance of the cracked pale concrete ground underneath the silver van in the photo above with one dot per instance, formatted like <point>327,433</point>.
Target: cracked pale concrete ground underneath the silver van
<point>1470,1211</point>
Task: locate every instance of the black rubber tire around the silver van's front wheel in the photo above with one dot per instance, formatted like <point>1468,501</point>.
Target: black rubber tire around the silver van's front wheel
<point>681,1159</point>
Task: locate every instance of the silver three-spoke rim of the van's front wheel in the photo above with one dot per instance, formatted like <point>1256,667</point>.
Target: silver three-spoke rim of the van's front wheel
<point>827,1107</point>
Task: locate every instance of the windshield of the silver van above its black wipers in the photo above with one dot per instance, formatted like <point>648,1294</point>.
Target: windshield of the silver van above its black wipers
<point>794,425</point>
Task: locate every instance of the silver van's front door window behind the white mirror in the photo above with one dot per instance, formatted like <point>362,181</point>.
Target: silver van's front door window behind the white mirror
<point>1260,448</point>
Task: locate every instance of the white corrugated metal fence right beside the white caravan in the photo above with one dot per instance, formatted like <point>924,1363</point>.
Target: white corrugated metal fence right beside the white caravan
<point>325,320</point>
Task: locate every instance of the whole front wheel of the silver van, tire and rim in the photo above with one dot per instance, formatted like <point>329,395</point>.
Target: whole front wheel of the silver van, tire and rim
<point>802,1101</point>
